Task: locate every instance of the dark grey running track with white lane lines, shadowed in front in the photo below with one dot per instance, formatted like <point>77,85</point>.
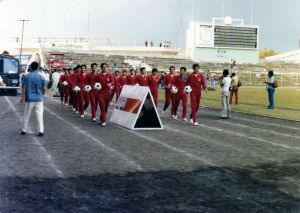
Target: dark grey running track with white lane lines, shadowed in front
<point>246,164</point>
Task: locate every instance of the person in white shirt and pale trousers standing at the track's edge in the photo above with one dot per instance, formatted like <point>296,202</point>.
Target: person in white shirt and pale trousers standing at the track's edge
<point>225,84</point>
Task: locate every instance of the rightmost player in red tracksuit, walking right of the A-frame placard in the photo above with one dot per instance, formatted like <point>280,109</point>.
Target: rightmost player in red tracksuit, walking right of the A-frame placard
<point>195,80</point>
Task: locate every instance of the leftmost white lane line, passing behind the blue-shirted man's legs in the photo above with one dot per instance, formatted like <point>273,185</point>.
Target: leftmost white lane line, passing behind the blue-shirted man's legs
<point>41,147</point>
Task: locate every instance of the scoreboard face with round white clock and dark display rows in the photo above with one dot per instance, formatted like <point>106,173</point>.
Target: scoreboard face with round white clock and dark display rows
<point>223,36</point>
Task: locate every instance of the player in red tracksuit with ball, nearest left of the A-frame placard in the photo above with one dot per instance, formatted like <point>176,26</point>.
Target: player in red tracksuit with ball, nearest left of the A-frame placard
<point>106,80</point>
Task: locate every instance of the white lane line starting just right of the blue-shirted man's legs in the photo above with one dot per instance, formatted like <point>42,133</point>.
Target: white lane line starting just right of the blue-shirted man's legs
<point>86,134</point>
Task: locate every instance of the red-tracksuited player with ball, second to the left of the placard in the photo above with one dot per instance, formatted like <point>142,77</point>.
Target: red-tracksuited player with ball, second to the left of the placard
<point>90,79</point>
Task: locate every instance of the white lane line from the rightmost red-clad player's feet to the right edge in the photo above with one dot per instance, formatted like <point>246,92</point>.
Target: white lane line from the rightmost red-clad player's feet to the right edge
<point>245,136</point>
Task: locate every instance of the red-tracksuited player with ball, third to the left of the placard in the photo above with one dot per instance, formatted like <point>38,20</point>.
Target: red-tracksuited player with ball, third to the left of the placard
<point>84,97</point>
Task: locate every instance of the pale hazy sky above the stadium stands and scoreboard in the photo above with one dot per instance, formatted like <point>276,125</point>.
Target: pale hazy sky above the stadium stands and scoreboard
<point>128,21</point>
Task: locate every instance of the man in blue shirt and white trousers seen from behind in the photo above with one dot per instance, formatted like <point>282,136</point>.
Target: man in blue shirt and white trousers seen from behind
<point>33,88</point>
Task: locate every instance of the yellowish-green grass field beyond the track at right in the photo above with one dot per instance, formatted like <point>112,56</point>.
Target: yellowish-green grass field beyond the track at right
<point>254,100</point>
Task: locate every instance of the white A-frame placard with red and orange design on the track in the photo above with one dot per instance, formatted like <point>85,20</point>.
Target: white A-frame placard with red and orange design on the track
<point>136,110</point>
